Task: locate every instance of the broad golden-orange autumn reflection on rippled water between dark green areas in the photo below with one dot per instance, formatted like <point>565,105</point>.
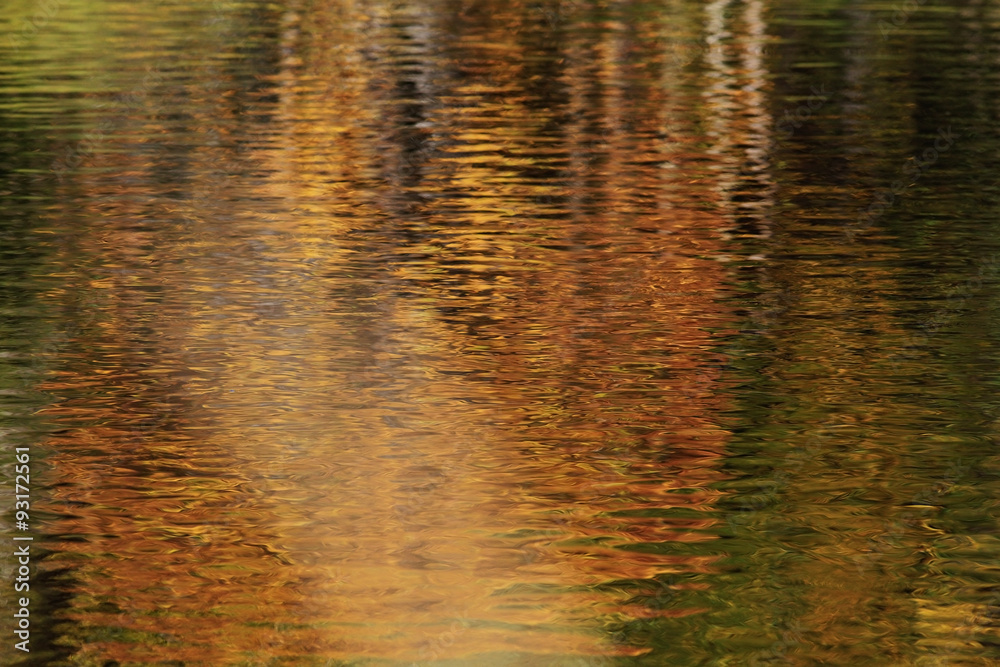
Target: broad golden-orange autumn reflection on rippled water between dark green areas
<point>419,367</point>
